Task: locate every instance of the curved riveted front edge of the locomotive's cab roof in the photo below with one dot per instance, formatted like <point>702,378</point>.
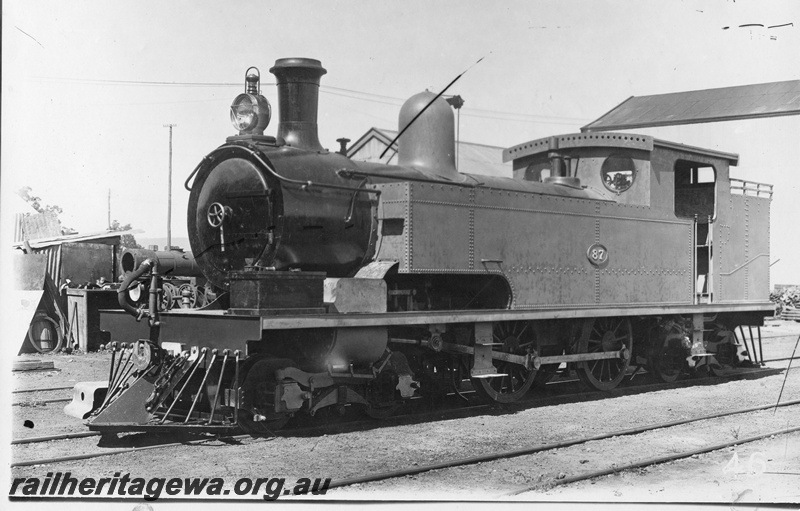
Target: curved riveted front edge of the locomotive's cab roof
<point>545,145</point>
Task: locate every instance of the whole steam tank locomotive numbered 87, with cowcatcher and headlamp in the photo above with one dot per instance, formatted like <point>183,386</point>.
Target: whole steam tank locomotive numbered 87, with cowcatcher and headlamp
<point>342,284</point>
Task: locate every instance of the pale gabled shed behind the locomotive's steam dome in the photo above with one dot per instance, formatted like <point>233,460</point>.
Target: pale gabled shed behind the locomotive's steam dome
<point>472,158</point>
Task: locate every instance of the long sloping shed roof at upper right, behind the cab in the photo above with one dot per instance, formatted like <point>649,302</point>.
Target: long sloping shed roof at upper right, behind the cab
<point>709,105</point>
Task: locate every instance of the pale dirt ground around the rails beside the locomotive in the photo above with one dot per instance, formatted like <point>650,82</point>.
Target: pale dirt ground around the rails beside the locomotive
<point>765,471</point>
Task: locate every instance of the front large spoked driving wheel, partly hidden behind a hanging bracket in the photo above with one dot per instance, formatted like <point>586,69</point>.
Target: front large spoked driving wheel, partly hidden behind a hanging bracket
<point>515,337</point>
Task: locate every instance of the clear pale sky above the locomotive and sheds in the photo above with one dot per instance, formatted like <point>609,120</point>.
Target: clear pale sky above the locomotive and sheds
<point>88,85</point>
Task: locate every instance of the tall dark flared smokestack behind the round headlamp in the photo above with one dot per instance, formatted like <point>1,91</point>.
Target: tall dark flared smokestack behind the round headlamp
<point>298,97</point>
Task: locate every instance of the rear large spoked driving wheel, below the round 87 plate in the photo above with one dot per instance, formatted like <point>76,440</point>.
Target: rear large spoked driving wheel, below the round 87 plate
<point>605,334</point>
